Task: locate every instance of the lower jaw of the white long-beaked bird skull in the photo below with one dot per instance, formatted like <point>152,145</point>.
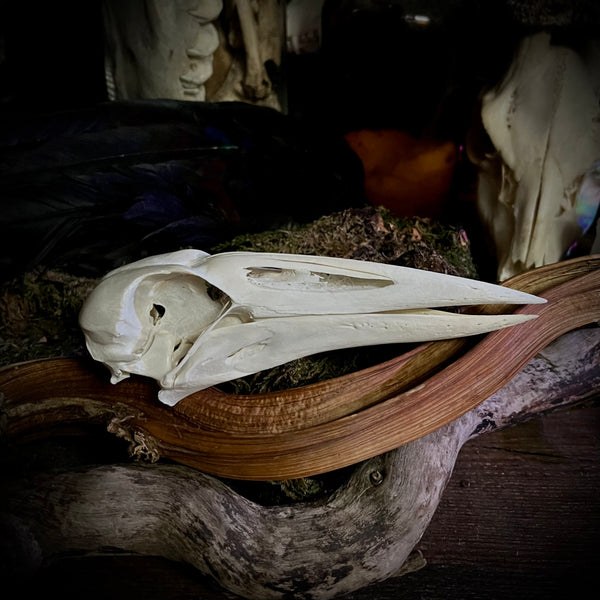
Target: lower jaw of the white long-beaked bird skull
<point>235,351</point>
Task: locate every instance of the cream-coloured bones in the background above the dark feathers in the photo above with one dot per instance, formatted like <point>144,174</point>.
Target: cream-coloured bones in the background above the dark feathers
<point>194,50</point>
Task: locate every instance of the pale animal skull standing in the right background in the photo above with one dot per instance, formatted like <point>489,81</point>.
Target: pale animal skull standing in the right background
<point>543,121</point>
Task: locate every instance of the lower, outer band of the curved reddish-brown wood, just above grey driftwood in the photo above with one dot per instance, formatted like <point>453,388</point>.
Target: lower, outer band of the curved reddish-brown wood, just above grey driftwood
<point>131,410</point>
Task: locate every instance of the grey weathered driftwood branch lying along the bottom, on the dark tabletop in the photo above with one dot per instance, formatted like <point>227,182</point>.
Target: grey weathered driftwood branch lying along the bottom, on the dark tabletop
<point>362,534</point>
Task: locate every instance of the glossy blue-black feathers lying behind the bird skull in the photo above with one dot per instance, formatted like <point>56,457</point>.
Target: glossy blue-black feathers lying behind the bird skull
<point>93,188</point>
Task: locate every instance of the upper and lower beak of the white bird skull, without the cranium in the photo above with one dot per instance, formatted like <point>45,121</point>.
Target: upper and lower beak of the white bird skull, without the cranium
<point>294,306</point>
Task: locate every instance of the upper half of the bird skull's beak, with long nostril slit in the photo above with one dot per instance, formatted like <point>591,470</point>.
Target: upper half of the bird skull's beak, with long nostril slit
<point>287,284</point>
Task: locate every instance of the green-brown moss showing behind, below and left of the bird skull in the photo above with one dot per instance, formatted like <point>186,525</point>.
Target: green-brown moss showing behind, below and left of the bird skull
<point>39,311</point>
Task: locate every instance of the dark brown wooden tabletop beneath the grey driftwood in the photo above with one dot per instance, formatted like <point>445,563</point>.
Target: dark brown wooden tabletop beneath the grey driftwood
<point>545,473</point>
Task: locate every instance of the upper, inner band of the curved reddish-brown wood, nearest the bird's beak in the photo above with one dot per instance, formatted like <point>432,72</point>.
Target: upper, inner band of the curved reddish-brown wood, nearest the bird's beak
<point>292,410</point>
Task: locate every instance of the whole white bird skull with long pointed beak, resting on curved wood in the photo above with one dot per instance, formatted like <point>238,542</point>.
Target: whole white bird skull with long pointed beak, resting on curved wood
<point>191,320</point>
